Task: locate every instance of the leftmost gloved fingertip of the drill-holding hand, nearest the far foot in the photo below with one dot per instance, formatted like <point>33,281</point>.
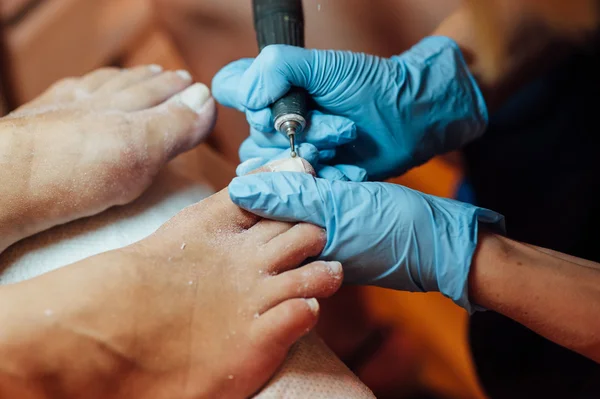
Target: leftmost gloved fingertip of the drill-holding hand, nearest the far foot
<point>226,84</point>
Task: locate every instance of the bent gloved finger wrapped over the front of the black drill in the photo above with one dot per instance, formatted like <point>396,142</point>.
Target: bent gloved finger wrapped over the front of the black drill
<point>276,69</point>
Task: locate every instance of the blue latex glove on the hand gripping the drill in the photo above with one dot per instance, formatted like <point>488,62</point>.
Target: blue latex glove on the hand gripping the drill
<point>406,109</point>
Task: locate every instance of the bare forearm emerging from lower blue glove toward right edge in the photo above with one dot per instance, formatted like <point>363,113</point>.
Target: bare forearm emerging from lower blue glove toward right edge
<point>555,297</point>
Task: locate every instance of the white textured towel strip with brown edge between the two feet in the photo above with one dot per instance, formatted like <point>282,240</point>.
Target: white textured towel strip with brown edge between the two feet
<point>115,228</point>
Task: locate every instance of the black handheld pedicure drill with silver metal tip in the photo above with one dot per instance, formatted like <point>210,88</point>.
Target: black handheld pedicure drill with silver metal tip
<point>282,22</point>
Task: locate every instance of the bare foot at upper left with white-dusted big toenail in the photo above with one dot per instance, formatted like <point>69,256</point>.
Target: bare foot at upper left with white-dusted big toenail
<point>93,142</point>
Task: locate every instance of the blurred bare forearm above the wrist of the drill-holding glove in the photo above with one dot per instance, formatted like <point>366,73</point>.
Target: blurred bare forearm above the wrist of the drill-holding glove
<point>499,47</point>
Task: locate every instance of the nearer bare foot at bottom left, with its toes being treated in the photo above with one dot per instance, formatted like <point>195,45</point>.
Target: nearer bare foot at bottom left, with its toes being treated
<point>207,307</point>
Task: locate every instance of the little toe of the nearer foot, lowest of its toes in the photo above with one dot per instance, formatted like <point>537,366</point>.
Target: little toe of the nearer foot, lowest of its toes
<point>279,328</point>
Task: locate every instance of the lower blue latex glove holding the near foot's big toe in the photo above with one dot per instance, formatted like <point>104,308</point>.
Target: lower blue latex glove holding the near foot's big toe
<point>384,234</point>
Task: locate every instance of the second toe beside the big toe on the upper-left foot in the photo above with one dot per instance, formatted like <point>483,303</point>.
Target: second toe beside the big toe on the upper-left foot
<point>149,93</point>
